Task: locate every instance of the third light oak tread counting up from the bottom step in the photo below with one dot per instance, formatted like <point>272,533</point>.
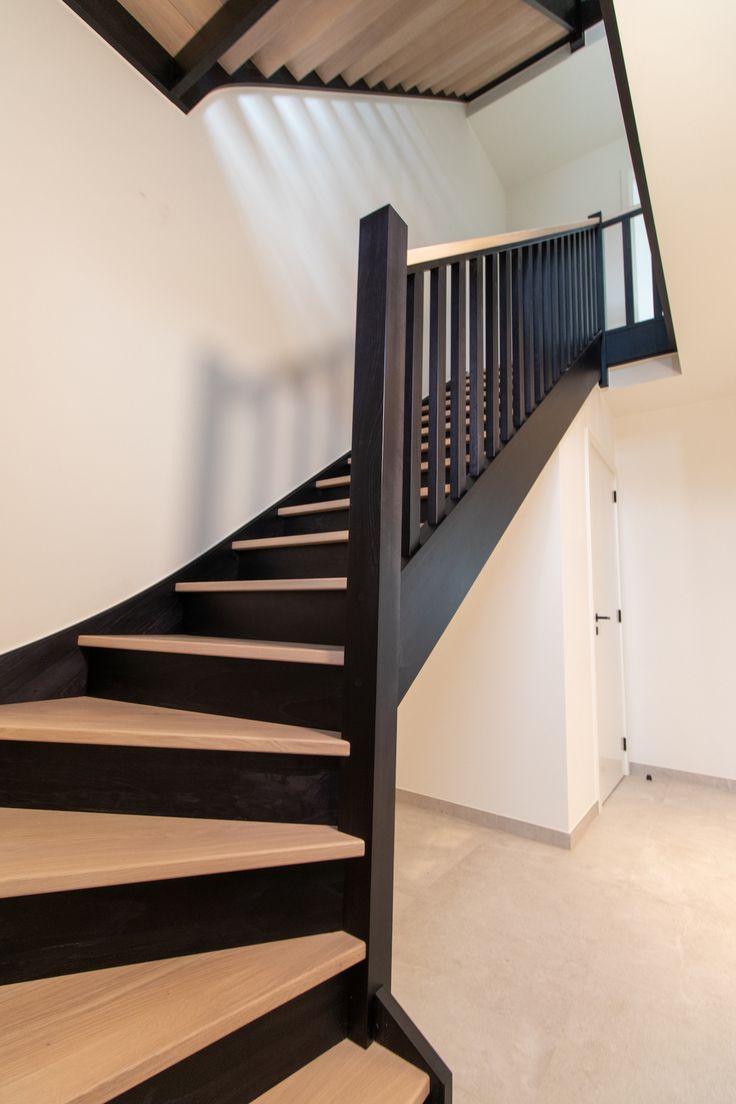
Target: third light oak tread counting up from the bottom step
<point>51,851</point>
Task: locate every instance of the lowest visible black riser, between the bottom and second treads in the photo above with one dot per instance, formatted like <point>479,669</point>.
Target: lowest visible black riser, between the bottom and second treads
<point>244,1065</point>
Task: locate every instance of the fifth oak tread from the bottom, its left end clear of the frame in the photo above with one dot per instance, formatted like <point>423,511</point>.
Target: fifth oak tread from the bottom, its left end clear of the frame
<point>281,652</point>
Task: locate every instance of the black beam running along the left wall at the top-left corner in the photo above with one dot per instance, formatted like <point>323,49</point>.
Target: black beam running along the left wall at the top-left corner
<point>111,20</point>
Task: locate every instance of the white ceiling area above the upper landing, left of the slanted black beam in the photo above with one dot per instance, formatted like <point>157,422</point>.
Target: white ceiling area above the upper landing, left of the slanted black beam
<point>556,118</point>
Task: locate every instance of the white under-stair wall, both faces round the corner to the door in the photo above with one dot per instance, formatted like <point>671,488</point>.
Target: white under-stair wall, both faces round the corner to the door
<point>502,718</point>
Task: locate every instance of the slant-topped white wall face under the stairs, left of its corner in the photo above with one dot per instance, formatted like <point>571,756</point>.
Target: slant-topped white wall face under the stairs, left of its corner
<point>484,724</point>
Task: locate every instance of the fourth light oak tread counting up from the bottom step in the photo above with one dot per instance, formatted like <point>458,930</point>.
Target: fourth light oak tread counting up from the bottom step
<point>100,721</point>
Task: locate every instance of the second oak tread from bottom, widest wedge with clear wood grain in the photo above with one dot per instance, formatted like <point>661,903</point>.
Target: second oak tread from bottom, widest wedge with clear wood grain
<point>87,1038</point>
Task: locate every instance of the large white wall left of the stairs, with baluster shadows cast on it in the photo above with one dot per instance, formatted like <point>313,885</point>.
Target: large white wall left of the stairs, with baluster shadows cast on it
<point>179,302</point>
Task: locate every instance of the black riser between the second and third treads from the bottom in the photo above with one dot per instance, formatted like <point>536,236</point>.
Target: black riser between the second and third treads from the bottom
<point>48,935</point>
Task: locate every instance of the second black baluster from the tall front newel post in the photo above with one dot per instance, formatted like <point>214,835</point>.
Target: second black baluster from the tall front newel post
<point>438,395</point>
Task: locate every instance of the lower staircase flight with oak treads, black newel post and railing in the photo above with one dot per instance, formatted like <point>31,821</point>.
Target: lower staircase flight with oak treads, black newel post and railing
<point>197,787</point>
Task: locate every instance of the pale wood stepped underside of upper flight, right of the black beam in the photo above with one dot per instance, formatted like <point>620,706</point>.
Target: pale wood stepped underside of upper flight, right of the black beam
<point>441,46</point>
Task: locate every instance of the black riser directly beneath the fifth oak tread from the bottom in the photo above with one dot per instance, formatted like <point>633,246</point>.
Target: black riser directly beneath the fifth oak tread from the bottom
<point>291,694</point>
